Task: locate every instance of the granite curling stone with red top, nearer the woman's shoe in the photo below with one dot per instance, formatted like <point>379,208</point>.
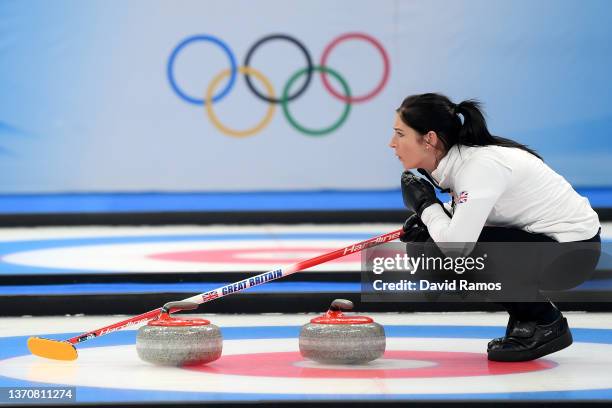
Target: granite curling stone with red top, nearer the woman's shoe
<point>335,338</point>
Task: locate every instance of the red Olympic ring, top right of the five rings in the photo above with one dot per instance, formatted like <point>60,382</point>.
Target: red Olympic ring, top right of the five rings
<point>386,67</point>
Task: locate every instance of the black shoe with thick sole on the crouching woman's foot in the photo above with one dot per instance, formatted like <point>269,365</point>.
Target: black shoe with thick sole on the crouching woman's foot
<point>527,341</point>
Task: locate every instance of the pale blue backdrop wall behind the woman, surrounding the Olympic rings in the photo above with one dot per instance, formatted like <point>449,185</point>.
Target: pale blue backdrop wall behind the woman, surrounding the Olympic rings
<point>86,104</point>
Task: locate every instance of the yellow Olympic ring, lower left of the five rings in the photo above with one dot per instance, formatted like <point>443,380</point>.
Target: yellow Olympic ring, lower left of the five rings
<point>213,118</point>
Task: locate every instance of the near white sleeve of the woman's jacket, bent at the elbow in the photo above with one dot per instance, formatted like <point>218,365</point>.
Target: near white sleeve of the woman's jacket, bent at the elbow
<point>478,186</point>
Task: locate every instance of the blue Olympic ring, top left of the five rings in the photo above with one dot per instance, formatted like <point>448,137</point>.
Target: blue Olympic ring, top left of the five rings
<point>224,47</point>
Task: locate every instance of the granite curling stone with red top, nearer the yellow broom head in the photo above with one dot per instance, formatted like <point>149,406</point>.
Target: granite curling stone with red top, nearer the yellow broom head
<point>172,341</point>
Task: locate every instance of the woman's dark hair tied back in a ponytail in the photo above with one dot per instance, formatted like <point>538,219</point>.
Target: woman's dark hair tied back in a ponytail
<point>435,112</point>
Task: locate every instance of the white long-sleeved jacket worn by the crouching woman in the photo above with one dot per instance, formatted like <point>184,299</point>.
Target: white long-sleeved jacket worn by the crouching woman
<point>507,187</point>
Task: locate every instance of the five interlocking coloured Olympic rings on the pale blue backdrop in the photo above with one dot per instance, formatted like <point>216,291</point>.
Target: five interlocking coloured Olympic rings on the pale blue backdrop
<point>212,94</point>
